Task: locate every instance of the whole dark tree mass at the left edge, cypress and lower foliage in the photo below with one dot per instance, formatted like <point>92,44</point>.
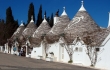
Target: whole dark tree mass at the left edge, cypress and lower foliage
<point>7,29</point>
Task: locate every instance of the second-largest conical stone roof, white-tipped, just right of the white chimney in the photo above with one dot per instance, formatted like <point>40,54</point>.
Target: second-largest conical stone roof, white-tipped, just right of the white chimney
<point>58,28</point>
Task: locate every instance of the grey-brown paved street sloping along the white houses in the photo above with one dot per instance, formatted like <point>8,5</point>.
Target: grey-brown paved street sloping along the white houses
<point>13,62</point>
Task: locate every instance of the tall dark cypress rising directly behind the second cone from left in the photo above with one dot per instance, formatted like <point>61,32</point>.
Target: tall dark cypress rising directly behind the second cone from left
<point>31,13</point>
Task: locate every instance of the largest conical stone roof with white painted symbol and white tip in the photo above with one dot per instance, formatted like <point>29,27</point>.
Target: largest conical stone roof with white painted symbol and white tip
<point>81,23</point>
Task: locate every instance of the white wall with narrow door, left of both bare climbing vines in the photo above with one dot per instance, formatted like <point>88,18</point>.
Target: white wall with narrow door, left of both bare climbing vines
<point>60,53</point>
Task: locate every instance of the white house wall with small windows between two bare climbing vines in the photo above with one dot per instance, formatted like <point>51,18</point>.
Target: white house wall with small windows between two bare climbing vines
<point>80,56</point>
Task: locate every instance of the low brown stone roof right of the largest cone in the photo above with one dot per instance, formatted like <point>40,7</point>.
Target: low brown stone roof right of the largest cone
<point>96,37</point>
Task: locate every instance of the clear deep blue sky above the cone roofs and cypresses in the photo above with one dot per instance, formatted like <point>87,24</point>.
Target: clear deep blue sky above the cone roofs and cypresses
<point>98,9</point>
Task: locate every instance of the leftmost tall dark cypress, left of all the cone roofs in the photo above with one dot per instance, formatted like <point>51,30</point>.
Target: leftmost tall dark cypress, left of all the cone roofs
<point>11,25</point>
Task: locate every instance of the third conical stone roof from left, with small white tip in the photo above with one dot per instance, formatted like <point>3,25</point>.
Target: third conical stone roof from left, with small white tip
<point>41,31</point>
